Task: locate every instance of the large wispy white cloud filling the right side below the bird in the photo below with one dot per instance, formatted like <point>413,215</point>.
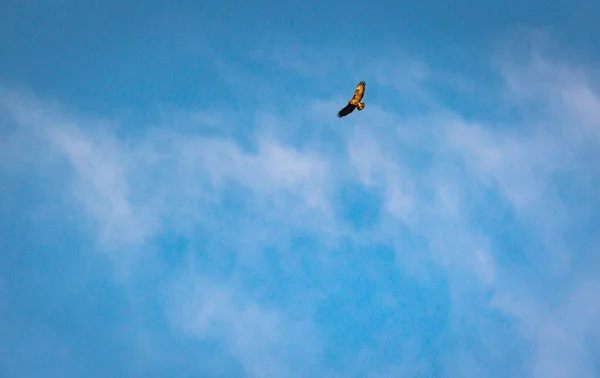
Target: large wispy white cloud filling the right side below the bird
<point>524,164</point>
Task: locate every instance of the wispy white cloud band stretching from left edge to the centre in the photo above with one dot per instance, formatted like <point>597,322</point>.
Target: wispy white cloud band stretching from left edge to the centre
<point>114,179</point>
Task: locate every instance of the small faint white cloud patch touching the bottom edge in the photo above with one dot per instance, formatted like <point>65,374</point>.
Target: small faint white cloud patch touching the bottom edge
<point>264,340</point>
